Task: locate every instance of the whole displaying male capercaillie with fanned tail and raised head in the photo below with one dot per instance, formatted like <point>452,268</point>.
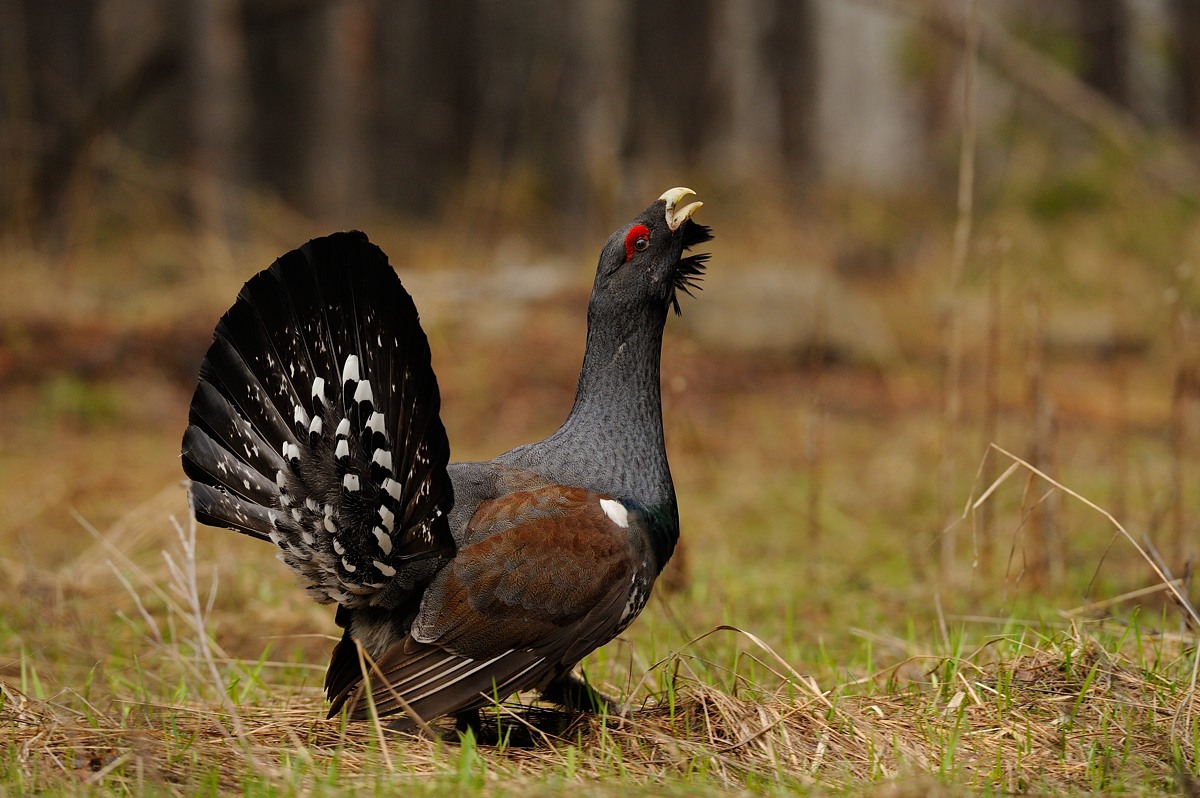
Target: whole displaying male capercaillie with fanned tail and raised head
<point>316,427</point>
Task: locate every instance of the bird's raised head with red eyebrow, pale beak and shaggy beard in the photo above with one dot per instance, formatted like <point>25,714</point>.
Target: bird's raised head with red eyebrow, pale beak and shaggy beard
<point>644,263</point>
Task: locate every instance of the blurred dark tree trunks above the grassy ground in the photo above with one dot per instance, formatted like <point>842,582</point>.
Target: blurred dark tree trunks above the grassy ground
<point>337,109</point>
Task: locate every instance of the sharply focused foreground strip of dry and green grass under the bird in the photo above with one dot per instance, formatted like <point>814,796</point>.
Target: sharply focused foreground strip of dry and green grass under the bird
<point>1075,705</point>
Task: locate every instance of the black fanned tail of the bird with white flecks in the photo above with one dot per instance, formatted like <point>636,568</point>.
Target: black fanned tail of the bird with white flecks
<point>316,425</point>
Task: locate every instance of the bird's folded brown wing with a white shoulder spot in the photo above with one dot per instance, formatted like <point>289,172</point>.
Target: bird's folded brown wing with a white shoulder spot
<point>541,580</point>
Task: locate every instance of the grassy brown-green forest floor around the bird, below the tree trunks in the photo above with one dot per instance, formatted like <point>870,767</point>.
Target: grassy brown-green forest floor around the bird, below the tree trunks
<point>854,610</point>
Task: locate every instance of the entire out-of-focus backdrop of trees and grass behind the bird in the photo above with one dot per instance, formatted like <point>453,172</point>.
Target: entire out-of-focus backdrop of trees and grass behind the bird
<point>940,225</point>
